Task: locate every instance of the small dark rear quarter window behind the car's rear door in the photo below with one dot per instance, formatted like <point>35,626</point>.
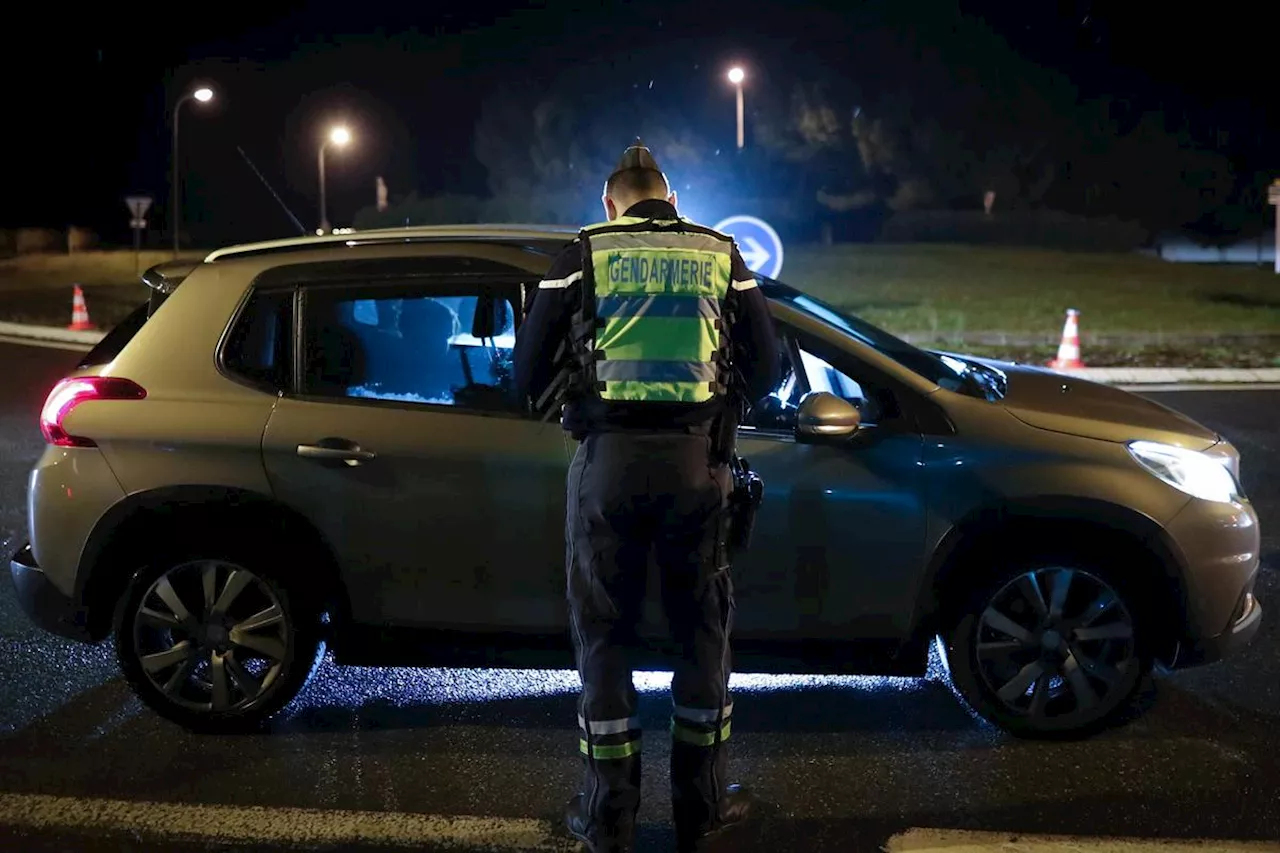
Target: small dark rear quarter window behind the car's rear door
<point>258,348</point>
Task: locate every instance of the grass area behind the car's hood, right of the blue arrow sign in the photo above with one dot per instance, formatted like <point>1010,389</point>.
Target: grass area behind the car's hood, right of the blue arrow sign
<point>953,293</point>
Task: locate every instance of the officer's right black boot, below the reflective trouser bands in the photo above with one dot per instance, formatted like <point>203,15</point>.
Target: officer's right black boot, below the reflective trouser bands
<point>703,806</point>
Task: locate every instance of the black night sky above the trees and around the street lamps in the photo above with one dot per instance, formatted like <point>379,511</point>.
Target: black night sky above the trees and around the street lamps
<point>89,92</point>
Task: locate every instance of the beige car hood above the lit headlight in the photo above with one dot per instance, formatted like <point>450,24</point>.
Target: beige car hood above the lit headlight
<point>1066,404</point>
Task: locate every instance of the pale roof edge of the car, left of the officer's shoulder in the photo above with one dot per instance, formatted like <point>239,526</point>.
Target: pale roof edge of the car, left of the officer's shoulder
<point>409,235</point>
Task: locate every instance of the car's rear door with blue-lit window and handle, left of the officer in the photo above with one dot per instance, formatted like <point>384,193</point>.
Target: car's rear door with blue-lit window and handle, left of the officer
<point>409,451</point>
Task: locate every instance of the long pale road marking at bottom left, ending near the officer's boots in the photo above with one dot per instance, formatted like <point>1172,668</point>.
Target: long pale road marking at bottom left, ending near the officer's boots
<point>273,825</point>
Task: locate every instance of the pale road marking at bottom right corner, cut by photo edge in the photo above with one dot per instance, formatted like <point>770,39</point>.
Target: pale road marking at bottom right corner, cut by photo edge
<point>931,841</point>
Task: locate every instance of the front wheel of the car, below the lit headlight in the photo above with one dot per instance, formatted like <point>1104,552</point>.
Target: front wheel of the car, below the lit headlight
<point>1050,649</point>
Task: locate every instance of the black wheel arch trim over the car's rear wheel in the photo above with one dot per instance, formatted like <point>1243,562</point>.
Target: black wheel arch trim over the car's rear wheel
<point>147,522</point>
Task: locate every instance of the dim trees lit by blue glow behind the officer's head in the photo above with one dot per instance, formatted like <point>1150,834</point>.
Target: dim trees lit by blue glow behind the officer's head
<point>921,120</point>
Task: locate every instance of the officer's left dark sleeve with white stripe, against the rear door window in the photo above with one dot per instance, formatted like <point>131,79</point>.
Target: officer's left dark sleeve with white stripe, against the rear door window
<point>547,325</point>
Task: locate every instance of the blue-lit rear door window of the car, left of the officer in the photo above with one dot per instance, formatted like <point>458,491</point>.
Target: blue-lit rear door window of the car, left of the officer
<point>412,348</point>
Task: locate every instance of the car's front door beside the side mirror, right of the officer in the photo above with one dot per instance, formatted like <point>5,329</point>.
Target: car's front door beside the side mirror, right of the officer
<point>840,536</point>
